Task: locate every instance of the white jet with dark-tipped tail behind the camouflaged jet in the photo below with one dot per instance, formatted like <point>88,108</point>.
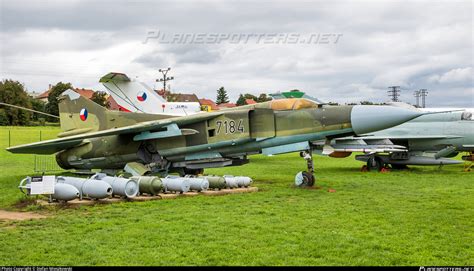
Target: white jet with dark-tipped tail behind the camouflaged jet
<point>134,96</point>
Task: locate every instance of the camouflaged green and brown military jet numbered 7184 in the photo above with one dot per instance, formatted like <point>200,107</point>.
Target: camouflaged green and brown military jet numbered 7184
<point>96,138</point>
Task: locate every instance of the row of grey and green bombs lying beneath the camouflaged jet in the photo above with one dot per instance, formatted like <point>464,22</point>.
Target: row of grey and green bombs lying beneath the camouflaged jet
<point>101,186</point>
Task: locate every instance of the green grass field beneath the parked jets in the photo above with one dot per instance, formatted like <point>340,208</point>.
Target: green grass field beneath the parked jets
<point>422,216</point>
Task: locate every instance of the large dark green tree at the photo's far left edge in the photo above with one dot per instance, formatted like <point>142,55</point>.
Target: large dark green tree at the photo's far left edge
<point>13,92</point>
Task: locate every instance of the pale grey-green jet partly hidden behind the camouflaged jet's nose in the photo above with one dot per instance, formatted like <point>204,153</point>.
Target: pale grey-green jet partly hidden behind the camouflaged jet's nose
<point>428,140</point>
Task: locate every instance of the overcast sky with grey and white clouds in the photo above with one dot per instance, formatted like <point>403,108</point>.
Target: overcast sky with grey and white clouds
<point>334,50</point>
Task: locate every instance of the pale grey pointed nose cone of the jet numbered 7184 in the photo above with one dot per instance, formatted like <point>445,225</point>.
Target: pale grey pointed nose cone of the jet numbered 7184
<point>371,118</point>
